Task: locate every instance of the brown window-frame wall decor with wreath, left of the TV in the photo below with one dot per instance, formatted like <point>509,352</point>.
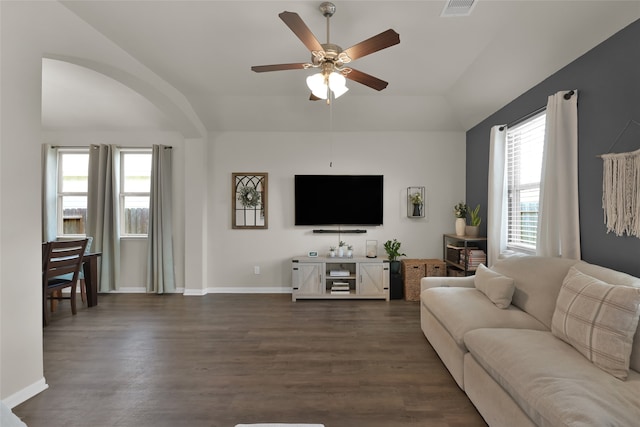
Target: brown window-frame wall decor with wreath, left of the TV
<point>249,204</point>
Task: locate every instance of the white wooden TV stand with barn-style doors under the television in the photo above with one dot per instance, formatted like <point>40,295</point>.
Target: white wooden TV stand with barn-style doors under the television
<point>339,278</point>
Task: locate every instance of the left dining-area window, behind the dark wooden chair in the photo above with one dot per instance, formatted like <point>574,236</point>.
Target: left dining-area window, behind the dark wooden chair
<point>73,182</point>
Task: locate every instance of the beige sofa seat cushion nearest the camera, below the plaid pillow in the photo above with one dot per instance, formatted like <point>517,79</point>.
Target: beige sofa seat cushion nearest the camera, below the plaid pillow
<point>552,382</point>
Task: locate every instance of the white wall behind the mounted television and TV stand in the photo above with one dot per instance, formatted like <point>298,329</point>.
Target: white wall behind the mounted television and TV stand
<point>433,160</point>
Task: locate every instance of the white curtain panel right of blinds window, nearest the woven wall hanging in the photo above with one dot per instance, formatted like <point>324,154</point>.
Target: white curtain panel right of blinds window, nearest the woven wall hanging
<point>558,218</point>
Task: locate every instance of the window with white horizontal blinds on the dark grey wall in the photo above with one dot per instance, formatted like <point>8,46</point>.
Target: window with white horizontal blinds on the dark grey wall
<point>524,167</point>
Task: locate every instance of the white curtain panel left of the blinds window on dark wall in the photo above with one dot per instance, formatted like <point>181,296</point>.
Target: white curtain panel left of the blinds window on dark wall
<point>497,192</point>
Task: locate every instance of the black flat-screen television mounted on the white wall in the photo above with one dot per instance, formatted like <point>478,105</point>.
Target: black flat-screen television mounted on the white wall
<point>338,199</point>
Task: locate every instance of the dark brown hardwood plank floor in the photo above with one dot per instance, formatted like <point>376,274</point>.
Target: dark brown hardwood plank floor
<point>223,359</point>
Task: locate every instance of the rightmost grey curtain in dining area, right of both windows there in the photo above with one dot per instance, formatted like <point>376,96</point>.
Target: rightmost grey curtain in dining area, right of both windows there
<point>160,272</point>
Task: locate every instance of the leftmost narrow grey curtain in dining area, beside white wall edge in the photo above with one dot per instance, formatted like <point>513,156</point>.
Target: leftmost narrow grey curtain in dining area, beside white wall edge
<point>49,192</point>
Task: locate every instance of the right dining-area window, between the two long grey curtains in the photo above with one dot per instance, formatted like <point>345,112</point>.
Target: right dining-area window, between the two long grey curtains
<point>135,186</point>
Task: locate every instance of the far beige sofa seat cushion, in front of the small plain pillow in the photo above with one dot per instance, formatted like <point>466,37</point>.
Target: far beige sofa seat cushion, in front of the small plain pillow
<point>460,310</point>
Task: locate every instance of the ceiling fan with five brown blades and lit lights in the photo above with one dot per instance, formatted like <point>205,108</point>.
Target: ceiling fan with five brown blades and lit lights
<point>330,59</point>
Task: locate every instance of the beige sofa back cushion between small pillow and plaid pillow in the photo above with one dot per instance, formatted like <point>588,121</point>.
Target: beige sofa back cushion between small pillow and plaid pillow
<point>537,281</point>
